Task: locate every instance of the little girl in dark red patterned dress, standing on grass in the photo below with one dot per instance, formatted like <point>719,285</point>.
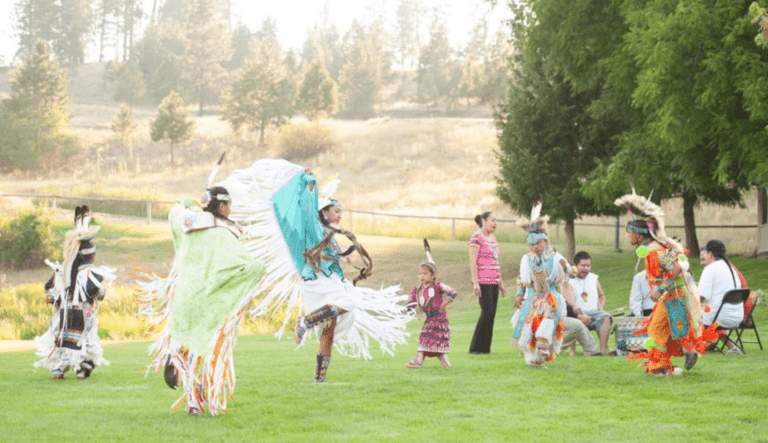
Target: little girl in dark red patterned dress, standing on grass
<point>432,297</point>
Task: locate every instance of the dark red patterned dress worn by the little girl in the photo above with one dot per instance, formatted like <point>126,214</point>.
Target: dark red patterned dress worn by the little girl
<point>435,336</point>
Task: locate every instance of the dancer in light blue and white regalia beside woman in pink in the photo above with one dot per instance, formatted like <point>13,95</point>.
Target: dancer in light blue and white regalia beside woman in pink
<point>538,323</point>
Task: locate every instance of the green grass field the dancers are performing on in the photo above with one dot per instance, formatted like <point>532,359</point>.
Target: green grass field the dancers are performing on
<point>492,397</point>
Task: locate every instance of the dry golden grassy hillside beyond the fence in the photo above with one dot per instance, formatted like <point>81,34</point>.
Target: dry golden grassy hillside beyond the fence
<point>436,166</point>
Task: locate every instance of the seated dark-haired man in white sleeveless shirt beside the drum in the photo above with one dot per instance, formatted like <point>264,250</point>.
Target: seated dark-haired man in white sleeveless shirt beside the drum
<point>590,299</point>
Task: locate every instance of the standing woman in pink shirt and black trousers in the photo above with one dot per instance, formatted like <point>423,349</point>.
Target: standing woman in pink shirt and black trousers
<point>486,280</point>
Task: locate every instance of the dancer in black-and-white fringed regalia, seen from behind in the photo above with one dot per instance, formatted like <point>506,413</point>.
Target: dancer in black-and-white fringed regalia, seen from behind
<point>75,290</point>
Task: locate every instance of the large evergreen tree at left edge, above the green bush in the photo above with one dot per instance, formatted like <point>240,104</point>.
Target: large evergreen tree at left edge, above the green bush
<point>34,122</point>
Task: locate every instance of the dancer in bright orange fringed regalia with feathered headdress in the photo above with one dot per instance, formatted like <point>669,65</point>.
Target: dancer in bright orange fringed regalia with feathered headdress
<point>675,325</point>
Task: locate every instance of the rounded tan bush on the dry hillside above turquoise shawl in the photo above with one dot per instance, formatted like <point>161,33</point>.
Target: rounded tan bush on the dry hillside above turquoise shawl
<point>301,140</point>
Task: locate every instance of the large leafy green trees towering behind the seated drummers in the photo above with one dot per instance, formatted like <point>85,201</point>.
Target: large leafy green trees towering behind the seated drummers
<point>670,93</point>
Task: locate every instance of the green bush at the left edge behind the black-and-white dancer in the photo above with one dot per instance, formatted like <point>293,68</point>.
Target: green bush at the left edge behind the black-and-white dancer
<point>27,240</point>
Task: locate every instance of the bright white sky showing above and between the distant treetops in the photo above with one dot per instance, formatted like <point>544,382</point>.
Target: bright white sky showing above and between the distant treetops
<point>294,17</point>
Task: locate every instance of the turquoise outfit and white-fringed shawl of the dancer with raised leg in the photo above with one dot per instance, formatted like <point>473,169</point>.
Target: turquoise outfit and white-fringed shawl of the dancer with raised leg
<point>282,229</point>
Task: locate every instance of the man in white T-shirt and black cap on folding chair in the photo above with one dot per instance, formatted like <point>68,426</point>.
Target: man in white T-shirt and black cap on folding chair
<point>718,277</point>
